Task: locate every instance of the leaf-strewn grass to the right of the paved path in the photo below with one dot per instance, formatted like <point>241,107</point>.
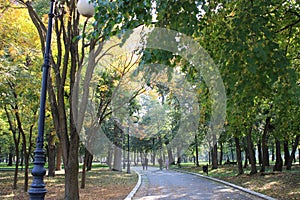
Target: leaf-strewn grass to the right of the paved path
<point>280,185</point>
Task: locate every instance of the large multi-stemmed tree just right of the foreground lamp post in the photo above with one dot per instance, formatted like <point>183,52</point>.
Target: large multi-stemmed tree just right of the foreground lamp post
<point>67,60</point>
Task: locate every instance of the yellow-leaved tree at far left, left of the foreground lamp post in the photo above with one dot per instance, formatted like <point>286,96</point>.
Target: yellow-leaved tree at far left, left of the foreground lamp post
<point>19,96</point>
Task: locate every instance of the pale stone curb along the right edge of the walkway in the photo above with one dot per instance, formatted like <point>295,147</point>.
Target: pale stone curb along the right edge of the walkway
<point>263,196</point>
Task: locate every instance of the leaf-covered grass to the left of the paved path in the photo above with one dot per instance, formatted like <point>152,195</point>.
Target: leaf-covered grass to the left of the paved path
<point>100,182</point>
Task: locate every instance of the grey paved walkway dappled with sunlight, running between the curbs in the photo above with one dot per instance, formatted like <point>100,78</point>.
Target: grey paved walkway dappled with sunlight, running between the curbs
<point>170,185</point>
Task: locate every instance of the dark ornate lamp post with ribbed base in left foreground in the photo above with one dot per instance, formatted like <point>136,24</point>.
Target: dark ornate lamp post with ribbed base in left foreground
<point>37,189</point>
